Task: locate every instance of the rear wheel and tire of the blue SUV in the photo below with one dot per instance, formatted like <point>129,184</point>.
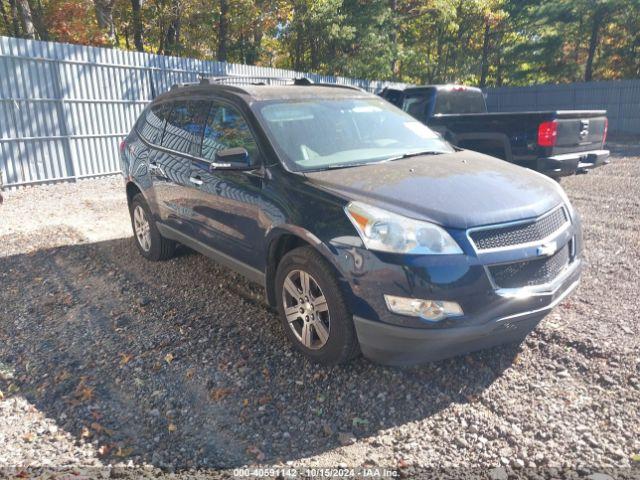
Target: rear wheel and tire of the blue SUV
<point>154,247</point>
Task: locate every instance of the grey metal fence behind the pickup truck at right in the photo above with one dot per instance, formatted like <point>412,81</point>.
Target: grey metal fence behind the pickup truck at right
<point>620,98</point>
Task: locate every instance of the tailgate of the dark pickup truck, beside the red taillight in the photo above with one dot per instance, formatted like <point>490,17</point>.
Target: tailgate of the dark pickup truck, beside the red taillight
<point>579,131</point>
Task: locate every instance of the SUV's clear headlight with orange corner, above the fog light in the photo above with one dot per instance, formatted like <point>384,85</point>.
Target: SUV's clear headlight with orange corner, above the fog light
<point>389,232</point>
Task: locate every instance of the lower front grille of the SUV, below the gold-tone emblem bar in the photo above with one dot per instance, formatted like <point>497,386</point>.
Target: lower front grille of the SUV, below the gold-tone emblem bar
<point>531,272</point>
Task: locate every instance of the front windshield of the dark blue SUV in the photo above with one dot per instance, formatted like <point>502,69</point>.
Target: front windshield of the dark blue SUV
<point>317,134</point>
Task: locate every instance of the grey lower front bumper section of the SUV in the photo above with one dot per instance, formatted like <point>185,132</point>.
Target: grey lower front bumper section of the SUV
<point>396,345</point>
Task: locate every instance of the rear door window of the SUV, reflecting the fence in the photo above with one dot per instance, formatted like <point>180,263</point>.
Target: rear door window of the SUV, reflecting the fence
<point>183,132</point>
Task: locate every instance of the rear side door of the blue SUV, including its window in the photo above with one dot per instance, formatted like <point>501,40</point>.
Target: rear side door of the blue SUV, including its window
<point>170,165</point>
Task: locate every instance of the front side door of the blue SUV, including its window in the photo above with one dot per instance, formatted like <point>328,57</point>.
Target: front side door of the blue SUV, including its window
<point>227,202</point>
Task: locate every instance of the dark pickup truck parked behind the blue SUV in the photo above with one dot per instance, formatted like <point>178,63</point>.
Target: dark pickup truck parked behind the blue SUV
<point>556,143</point>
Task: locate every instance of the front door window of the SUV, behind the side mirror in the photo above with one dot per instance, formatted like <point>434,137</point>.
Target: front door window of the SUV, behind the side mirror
<point>226,128</point>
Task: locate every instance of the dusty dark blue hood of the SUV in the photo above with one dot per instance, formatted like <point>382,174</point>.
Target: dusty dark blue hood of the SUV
<point>458,190</point>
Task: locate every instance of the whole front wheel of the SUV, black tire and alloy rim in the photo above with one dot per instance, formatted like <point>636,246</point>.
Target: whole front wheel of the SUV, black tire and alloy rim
<point>340,340</point>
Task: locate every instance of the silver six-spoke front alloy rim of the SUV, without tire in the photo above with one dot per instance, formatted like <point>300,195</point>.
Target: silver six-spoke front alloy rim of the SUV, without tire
<point>306,309</point>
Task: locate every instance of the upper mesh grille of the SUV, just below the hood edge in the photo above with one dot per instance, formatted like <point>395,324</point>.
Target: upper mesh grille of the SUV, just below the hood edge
<point>520,233</point>
